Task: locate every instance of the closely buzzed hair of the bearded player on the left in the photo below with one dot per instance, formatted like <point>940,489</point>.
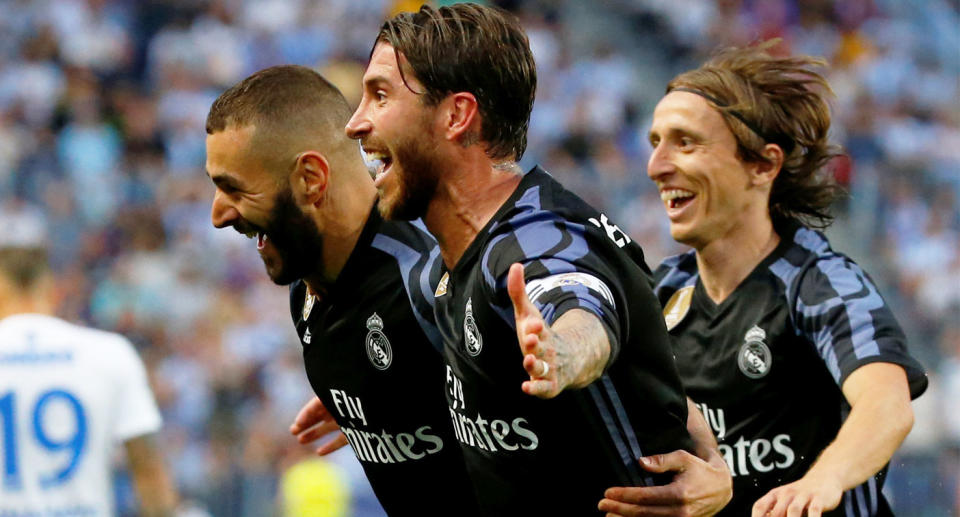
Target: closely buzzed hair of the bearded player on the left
<point>281,101</point>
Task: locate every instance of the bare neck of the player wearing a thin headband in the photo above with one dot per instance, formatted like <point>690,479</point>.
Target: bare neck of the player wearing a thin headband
<point>725,262</point>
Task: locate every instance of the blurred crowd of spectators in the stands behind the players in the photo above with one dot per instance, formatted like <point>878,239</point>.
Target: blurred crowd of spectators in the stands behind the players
<point>102,110</point>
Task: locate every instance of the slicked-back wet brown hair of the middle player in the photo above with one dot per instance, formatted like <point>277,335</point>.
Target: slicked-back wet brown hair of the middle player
<point>477,49</point>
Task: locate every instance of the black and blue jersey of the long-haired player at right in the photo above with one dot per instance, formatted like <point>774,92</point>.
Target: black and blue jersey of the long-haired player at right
<point>766,365</point>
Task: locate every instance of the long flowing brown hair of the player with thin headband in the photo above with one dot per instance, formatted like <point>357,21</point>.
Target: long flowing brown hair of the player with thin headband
<point>780,100</point>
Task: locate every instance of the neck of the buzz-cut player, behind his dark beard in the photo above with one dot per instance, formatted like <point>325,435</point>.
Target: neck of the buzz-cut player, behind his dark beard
<point>341,222</point>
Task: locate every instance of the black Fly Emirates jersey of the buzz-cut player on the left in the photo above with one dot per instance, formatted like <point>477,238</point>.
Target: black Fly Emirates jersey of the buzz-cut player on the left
<point>371,353</point>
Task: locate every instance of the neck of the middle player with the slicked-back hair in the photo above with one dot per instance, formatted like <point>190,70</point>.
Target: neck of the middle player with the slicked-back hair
<point>465,203</point>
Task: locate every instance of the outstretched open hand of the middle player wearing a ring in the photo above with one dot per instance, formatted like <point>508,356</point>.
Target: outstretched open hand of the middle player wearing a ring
<point>535,338</point>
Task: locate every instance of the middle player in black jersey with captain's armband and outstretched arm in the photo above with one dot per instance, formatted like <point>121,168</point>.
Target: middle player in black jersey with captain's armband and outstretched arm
<point>560,374</point>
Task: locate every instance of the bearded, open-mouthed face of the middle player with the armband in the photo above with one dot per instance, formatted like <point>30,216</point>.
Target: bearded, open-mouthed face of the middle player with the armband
<point>397,129</point>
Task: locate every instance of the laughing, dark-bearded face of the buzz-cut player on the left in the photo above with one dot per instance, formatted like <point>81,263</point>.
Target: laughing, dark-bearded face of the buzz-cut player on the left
<point>258,203</point>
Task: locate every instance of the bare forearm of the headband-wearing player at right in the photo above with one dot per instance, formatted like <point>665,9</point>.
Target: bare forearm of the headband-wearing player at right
<point>875,427</point>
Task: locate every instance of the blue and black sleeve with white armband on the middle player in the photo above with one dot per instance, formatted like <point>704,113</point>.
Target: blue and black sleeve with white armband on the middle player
<point>563,266</point>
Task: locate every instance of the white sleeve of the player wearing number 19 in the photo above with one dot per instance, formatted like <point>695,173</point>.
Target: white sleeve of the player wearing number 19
<point>137,413</point>
